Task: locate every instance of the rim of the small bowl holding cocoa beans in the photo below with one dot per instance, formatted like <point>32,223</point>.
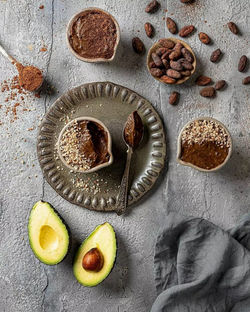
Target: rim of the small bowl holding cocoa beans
<point>186,45</point>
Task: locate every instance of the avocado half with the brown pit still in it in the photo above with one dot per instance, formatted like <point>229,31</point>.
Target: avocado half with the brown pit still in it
<point>95,258</point>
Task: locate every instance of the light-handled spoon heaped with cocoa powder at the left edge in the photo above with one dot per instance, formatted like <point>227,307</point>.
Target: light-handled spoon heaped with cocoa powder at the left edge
<point>30,77</point>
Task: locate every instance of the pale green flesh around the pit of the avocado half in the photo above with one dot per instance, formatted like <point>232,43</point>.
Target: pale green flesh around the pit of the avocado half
<point>103,238</point>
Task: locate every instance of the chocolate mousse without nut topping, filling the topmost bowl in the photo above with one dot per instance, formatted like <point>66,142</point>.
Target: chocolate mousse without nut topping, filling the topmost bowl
<point>93,35</point>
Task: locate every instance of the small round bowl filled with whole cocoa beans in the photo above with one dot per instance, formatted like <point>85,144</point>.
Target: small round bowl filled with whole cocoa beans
<point>171,61</point>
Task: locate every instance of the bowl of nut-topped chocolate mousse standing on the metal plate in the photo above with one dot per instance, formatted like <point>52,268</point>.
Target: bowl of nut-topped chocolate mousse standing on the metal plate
<point>84,145</point>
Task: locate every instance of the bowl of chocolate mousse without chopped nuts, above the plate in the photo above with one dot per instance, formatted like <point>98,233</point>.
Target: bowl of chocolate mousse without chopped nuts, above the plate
<point>93,35</point>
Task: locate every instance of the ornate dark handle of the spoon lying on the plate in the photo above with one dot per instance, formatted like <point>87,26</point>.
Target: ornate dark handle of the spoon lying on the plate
<point>122,200</point>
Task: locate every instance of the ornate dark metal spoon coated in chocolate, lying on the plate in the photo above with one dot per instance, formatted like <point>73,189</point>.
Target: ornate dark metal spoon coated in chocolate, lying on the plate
<point>132,135</point>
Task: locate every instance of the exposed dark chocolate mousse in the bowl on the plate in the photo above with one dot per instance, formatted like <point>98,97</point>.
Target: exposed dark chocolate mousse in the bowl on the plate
<point>93,143</point>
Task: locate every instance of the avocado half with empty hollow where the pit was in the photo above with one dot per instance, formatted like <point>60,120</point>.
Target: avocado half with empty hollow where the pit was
<point>48,236</point>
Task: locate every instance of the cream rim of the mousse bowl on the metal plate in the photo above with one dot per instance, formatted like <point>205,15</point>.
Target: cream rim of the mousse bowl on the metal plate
<point>111,158</point>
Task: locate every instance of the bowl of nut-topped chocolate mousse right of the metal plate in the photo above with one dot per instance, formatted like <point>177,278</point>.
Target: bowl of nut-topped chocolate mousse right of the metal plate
<point>204,144</point>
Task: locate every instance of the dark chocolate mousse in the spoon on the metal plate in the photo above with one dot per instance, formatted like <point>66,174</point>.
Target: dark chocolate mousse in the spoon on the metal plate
<point>133,130</point>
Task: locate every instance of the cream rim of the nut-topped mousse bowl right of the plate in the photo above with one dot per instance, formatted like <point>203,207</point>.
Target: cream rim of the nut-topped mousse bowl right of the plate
<point>184,163</point>
